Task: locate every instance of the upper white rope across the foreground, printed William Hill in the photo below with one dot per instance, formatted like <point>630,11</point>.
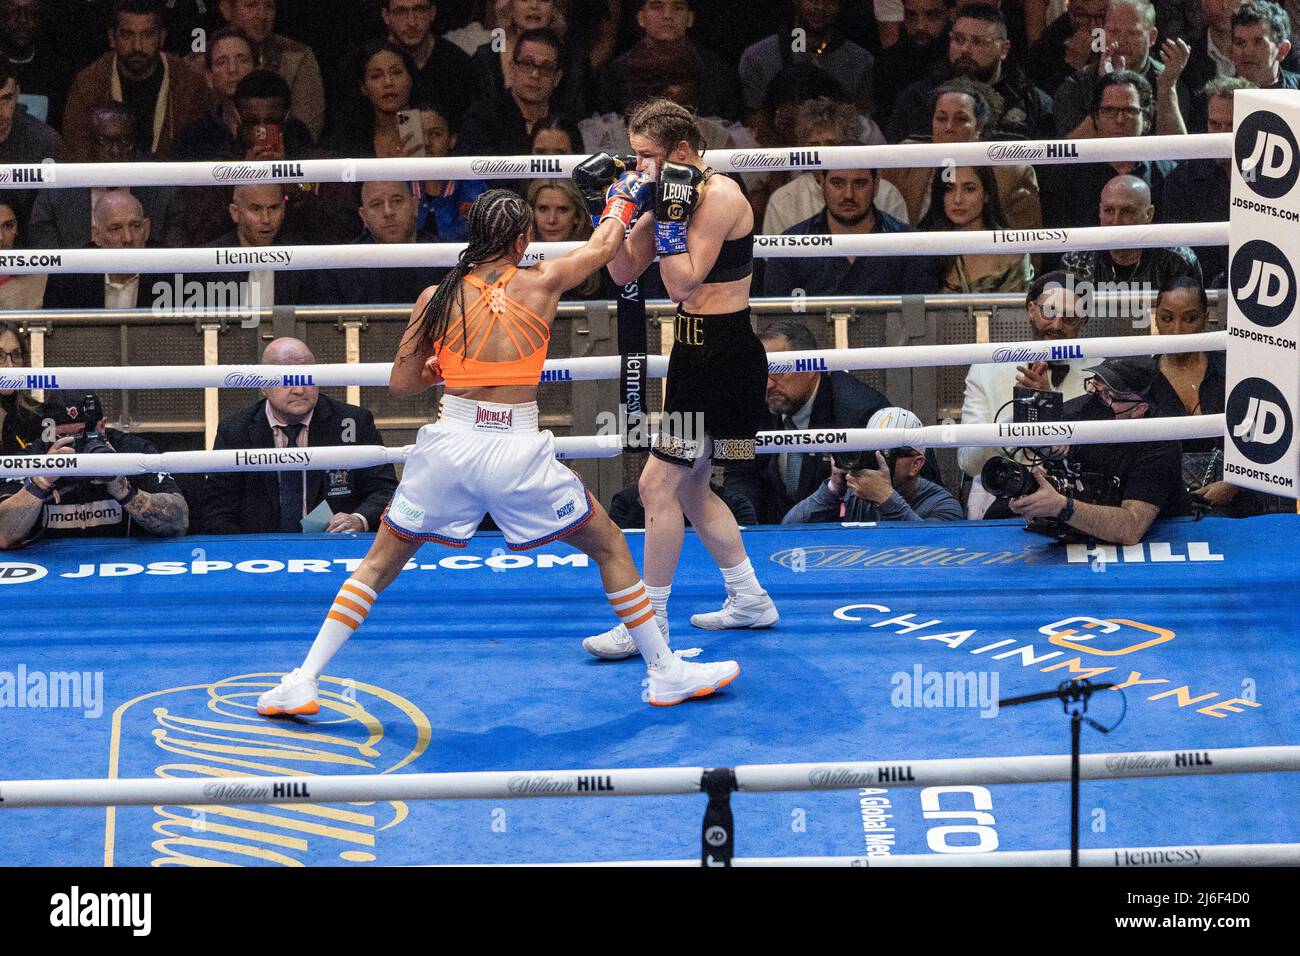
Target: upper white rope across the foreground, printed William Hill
<point>505,785</point>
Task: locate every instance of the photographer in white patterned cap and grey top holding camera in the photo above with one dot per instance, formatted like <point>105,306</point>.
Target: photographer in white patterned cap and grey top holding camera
<point>879,486</point>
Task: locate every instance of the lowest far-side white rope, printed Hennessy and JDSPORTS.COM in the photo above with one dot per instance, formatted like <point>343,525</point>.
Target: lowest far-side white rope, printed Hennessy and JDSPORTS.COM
<point>332,457</point>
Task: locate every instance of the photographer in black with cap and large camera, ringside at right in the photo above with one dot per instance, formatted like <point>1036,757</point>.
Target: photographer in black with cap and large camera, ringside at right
<point>1143,479</point>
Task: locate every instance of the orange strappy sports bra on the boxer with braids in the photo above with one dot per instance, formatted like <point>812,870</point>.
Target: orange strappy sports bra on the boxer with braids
<point>518,336</point>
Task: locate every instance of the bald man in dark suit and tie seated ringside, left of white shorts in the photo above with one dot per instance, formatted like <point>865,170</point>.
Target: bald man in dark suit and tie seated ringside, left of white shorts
<point>300,417</point>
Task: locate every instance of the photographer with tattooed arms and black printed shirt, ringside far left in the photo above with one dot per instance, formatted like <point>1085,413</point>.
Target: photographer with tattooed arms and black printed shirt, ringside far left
<point>45,507</point>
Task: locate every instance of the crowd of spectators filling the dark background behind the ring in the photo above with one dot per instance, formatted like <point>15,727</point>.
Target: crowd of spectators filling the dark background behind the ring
<point>142,81</point>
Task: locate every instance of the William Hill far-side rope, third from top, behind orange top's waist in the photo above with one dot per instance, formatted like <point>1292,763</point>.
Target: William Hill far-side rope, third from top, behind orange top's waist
<point>605,367</point>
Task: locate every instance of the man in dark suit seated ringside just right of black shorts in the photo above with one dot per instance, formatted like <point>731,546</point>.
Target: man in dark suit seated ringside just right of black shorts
<point>796,401</point>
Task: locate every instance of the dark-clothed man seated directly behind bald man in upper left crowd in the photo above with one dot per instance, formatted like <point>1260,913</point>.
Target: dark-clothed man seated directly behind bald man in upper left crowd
<point>60,218</point>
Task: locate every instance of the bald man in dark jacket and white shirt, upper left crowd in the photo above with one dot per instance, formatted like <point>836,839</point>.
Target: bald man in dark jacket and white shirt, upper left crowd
<point>119,222</point>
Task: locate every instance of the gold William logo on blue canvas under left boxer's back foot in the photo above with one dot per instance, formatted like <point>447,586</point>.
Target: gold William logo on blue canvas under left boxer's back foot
<point>214,732</point>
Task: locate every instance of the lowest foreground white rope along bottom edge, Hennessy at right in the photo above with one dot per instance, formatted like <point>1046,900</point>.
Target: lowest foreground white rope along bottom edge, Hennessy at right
<point>1221,855</point>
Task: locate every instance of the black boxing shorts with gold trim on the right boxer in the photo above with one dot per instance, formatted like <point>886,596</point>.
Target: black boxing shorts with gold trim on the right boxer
<point>717,387</point>
